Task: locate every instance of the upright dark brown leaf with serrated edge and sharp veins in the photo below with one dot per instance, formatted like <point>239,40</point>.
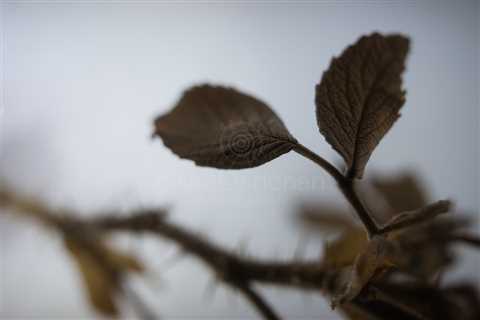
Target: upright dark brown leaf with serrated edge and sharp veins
<point>360,95</point>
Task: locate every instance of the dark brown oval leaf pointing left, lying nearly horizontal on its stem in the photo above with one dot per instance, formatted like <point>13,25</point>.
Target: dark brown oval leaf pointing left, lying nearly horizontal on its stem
<point>223,128</point>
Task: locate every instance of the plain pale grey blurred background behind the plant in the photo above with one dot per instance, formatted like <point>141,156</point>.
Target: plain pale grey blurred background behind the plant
<point>82,83</point>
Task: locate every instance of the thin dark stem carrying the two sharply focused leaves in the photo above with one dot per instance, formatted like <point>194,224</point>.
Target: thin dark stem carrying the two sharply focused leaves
<point>345,185</point>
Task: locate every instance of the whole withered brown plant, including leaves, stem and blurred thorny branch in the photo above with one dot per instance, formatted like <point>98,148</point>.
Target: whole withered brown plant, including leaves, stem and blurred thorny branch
<point>388,266</point>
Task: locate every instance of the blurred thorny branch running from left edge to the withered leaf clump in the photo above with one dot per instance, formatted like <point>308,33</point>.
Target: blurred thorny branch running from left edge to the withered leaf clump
<point>233,270</point>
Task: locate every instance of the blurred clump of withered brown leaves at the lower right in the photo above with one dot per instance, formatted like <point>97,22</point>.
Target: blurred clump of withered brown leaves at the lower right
<point>405,267</point>
